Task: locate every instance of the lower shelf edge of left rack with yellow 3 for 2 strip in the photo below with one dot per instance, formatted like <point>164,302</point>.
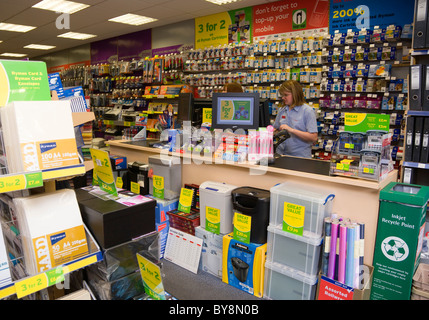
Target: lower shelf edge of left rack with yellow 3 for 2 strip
<point>31,284</point>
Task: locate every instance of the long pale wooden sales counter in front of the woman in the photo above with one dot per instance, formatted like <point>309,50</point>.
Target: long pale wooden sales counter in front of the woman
<point>356,199</point>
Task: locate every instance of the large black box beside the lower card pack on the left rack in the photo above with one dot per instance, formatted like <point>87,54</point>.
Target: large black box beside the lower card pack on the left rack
<point>113,223</point>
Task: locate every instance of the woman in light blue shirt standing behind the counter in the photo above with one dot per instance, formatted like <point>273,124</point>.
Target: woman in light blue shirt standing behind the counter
<point>298,118</point>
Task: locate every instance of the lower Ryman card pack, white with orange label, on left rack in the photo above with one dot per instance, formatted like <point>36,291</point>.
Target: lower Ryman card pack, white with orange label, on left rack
<point>52,230</point>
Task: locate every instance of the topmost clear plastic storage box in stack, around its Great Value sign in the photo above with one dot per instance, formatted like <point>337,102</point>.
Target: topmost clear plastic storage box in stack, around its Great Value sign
<point>317,203</point>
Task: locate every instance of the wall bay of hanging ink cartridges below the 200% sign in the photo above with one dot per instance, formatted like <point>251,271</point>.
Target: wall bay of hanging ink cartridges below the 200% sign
<point>349,85</point>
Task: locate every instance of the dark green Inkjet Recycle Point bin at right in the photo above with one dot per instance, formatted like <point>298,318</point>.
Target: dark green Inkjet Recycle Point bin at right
<point>399,240</point>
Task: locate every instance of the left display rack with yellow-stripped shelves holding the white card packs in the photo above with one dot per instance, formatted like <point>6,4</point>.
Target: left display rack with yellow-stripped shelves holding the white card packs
<point>19,282</point>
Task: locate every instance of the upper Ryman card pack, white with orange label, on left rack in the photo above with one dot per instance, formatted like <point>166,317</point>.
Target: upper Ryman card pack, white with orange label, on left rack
<point>38,135</point>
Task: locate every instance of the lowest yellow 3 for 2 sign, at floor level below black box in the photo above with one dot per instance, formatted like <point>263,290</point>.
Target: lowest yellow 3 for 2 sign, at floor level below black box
<point>151,277</point>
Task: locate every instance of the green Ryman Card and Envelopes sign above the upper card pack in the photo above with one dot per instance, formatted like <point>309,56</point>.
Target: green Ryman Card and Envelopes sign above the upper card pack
<point>23,81</point>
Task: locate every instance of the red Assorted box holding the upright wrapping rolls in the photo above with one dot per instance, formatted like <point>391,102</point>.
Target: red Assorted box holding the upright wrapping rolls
<point>334,290</point>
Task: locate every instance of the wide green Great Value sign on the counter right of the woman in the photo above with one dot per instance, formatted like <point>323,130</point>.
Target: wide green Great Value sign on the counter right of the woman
<point>363,122</point>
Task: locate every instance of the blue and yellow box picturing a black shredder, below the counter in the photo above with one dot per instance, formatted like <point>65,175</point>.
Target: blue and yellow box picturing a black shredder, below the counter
<point>243,265</point>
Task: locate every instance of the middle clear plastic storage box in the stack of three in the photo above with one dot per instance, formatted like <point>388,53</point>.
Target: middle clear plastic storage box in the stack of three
<point>298,252</point>
